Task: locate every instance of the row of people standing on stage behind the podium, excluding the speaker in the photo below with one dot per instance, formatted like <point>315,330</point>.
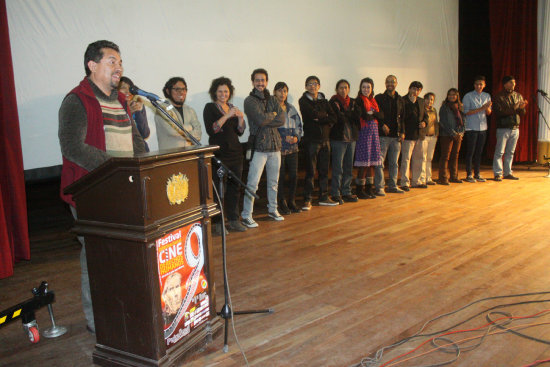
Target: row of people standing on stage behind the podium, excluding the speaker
<point>342,132</point>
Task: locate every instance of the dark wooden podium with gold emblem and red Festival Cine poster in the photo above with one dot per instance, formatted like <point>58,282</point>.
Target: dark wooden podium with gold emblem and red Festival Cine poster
<point>146,224</point>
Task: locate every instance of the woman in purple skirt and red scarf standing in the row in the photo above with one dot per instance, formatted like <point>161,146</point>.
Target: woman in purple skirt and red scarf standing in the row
<point>367,150</point>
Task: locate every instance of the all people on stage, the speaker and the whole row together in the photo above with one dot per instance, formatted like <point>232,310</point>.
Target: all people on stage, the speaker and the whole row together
<point>100,118</point>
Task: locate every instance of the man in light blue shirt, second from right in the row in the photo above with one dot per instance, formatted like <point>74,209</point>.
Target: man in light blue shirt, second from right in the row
<point>477,106</point>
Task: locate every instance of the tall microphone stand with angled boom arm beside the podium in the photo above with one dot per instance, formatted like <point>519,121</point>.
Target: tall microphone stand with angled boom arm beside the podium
<point>226,312</point>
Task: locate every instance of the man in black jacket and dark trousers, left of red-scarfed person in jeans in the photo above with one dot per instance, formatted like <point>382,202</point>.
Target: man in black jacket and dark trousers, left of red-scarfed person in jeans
<point>318,118</point>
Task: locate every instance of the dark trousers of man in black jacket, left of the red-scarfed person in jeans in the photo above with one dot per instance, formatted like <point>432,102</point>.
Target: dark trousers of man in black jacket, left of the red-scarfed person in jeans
<point>317,158</point>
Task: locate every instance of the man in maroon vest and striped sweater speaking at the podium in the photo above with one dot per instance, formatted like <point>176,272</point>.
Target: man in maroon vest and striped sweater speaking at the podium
<point>95,124</point>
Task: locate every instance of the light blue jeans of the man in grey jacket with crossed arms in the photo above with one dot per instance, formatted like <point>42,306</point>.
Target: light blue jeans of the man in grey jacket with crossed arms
<point>272,163</point>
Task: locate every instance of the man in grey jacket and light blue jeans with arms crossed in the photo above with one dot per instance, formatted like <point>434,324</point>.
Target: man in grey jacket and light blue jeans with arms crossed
<point>264,117</point>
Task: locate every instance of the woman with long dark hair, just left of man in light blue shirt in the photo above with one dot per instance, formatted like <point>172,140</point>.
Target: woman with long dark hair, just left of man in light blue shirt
<point>451,131</point>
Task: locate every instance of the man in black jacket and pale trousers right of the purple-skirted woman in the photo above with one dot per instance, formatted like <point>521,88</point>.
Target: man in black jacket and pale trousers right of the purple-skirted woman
<point>391,105</point>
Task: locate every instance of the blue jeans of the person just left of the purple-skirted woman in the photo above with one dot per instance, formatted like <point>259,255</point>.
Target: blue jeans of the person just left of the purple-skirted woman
<point>342,167</point>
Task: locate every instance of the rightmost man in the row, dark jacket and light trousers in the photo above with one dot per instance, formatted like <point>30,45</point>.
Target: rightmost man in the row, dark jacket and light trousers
<point>508,106</point>
